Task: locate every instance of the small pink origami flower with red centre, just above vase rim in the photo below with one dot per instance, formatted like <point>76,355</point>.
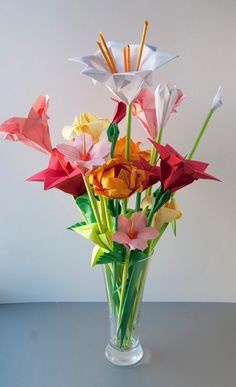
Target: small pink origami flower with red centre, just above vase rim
<point>133,232</point>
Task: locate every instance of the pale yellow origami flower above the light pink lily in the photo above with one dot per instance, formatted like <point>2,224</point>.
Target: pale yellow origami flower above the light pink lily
<point>85,123</point>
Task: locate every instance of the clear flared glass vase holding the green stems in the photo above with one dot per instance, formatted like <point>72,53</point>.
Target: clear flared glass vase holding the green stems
<point>124,286</point>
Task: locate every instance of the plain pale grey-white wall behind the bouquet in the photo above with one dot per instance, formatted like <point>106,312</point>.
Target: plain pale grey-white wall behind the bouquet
<point>39,259</point>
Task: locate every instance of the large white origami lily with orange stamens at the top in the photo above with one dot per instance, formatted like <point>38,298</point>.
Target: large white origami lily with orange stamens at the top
<point>124,69</point>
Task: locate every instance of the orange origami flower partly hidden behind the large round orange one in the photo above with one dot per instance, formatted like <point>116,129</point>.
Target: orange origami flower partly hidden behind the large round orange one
<point>135,152</point>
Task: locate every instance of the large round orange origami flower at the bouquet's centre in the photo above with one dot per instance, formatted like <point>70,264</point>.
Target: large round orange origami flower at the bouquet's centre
<point>117,179</point>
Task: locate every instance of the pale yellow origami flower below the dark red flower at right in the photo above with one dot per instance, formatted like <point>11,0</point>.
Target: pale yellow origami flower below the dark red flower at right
<point>167,214</point>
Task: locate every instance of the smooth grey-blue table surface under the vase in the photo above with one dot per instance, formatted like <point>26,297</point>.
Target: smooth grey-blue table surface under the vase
<point>62,345</point>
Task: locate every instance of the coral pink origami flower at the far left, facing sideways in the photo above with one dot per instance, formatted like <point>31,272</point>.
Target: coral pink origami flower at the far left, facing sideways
<point>32,130</point>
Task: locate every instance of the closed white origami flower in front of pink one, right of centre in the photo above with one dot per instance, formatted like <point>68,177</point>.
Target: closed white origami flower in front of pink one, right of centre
<point>167,100</point>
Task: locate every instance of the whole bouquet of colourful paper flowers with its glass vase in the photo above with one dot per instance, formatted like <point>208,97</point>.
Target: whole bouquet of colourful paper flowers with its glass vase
<point>103,174</point>
